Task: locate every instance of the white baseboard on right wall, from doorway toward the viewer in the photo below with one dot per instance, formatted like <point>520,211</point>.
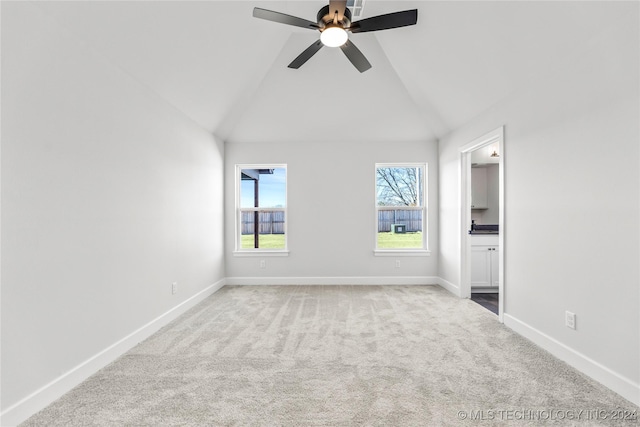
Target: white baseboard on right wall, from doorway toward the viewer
<point>607,377</point>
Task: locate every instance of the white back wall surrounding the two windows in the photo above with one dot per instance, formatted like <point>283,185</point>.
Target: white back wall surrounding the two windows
<point>325,178</point>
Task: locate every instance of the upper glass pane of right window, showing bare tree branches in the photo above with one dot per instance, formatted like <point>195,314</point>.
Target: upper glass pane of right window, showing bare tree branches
<point>398,186</point>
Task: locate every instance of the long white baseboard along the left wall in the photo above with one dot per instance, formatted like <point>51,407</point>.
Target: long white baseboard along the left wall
<point>47,394</point>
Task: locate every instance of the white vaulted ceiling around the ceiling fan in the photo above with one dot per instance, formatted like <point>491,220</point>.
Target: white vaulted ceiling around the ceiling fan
<point>228,72</point>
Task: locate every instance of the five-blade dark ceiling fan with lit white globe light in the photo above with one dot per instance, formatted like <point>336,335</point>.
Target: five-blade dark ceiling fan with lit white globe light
<point>334,24</point>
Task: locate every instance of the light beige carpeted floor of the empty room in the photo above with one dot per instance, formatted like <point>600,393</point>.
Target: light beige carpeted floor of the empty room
<point>335,356</point>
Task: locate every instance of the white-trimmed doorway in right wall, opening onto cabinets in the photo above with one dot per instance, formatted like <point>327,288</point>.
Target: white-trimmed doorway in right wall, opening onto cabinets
<point>485,152</point>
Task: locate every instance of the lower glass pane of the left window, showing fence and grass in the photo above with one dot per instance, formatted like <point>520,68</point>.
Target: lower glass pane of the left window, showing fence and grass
<point>270,233</point>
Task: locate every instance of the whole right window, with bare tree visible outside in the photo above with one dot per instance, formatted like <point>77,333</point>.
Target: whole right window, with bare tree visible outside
<point>401,210</point>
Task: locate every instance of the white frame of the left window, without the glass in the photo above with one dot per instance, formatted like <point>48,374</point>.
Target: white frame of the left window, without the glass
<point>239,250</point>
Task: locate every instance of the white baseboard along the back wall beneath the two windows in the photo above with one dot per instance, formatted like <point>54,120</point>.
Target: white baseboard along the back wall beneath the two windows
<point>347,280</point>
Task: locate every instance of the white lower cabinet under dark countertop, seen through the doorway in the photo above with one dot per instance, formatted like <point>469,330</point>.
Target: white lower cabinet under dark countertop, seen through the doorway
<point>484,261</point>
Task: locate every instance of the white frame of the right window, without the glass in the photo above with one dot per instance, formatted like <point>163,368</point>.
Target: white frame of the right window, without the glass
<point>424,250</point>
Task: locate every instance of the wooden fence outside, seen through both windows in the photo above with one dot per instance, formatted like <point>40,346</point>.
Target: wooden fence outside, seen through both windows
<point>272,222</point>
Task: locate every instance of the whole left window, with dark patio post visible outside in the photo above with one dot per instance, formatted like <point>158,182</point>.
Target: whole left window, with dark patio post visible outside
<point>261,205</point>
